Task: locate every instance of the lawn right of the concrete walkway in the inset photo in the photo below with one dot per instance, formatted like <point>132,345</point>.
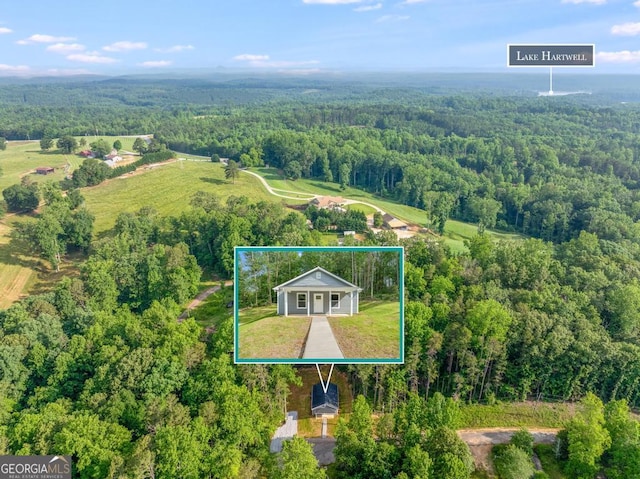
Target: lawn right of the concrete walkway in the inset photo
<point>373,333</point>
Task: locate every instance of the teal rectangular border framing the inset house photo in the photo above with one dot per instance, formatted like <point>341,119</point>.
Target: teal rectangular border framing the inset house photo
<point>240,249</point>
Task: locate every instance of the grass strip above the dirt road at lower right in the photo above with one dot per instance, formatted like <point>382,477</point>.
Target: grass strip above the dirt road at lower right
<point>528,414</point>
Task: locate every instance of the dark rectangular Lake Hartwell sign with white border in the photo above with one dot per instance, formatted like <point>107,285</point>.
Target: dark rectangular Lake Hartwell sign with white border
<point>550,55</point>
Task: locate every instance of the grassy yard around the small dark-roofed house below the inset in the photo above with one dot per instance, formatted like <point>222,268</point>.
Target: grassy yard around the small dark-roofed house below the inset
<point>300,400</point>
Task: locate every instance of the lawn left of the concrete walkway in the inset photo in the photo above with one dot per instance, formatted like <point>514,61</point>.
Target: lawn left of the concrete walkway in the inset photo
<point>264,335</point>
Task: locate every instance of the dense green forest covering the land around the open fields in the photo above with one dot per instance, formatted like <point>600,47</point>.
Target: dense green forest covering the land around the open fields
<point>99,368</point>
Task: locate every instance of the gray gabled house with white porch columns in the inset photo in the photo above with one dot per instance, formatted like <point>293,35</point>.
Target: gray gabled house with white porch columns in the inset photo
<point>317,292</point>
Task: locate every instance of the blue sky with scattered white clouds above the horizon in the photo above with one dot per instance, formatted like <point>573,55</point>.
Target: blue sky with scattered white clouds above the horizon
<point>305,36</point>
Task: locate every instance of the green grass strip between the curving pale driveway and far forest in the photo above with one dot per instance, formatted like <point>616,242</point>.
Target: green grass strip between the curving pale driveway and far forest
<point>455,231</point>
